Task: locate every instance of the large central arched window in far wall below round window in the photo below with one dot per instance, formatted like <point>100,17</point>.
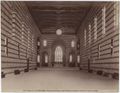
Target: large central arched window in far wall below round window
<point>58,54</point>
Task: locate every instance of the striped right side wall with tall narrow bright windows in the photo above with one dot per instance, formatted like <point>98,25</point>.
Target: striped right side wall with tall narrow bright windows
<point>102,56</point>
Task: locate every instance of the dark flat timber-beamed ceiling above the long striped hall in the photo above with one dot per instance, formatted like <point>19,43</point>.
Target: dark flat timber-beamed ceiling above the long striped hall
<point>65,15</point>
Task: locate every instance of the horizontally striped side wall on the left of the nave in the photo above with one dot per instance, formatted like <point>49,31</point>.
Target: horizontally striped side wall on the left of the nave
<point>18,37</point>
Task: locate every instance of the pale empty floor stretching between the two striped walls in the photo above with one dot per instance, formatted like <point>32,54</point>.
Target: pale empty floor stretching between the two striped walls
<point>52,79</point>
